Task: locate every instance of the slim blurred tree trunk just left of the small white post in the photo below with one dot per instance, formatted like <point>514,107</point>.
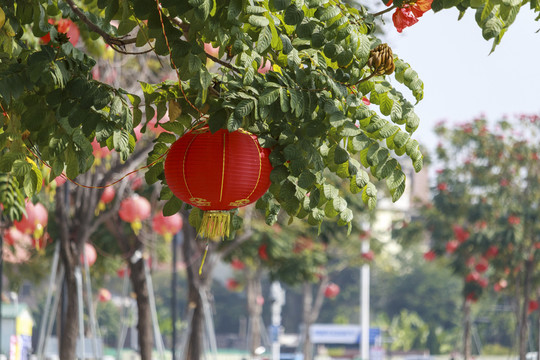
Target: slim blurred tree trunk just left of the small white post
<point>254,292</point>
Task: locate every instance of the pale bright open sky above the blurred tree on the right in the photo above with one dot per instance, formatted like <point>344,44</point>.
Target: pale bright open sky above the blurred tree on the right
<point>461,78</point>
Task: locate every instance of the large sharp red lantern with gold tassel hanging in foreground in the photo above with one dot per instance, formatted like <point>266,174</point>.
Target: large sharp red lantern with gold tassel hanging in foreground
<point>216,173</point>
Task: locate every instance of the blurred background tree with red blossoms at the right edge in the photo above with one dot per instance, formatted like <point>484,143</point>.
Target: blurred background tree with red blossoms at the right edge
<point>484,216</point>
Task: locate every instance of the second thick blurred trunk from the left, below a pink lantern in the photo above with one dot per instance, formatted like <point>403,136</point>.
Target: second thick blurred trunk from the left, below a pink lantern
<point>144,324</point>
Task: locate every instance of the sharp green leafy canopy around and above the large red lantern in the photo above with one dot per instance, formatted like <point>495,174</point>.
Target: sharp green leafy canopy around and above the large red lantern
<point>310,108</point>
